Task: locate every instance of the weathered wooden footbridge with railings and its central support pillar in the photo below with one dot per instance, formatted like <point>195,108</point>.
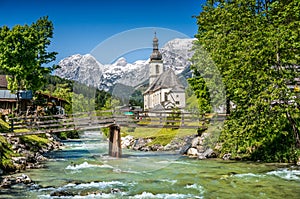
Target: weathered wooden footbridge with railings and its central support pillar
<point>20,126</point>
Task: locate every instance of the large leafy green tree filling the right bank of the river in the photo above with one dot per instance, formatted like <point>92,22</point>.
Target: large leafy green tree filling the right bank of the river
<point>255,47</point>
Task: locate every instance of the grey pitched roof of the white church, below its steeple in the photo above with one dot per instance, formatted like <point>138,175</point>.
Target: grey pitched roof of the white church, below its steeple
<point>167,79</point>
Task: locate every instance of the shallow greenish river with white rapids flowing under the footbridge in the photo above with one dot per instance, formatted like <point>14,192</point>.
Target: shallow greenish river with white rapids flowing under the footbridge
<point>84,170</point>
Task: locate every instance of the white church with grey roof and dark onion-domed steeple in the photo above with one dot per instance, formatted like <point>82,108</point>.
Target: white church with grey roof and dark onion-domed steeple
<point>165,91</point>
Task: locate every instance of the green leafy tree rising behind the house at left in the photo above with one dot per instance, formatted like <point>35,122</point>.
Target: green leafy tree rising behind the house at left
<point>23,51</point>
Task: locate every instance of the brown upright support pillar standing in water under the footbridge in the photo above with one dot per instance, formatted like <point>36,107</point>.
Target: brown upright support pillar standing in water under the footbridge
<point>115,149</point>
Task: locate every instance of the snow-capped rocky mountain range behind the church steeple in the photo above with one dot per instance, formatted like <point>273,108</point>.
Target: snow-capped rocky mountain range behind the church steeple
<point>86,69</point>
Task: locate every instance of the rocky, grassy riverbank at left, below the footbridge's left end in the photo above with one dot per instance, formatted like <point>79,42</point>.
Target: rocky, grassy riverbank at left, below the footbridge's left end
<point>23,153</point>
